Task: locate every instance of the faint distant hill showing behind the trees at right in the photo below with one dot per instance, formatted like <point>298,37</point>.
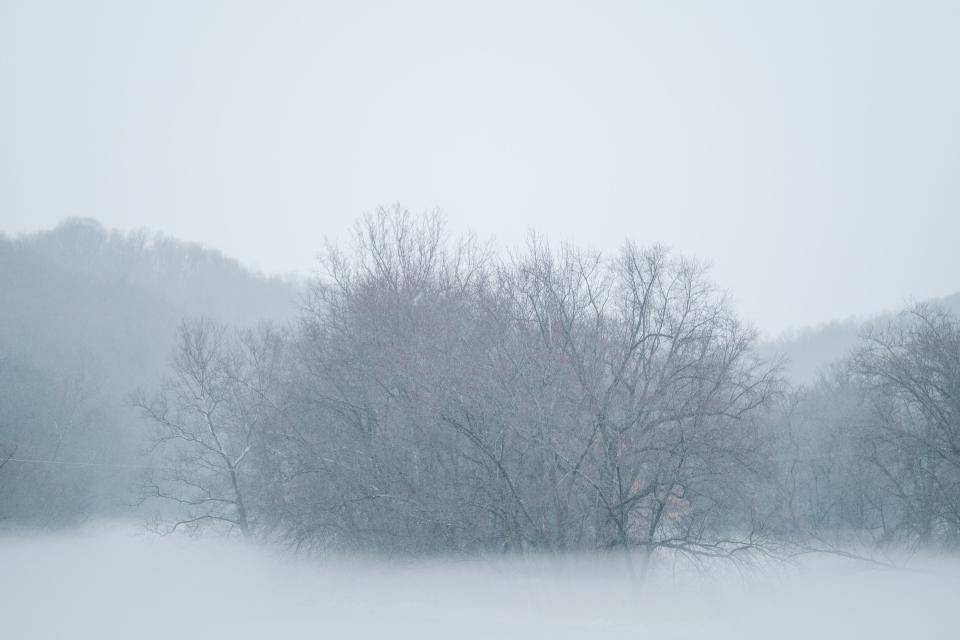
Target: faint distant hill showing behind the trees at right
<point>810,350</point>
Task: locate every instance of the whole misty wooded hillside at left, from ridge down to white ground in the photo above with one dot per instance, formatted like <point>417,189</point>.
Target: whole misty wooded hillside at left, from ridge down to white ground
<point>86,317</point>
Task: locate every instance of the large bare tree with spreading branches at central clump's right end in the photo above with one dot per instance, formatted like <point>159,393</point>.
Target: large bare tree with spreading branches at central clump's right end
<point>666,381</point>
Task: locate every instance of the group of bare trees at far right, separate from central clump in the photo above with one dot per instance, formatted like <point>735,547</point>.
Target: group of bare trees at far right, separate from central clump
<point>873,450</point>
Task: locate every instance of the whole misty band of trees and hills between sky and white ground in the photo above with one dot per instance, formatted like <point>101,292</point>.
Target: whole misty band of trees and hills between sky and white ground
<point>427,394</point>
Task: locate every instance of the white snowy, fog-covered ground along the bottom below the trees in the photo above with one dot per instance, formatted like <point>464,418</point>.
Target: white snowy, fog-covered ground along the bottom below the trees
<point>106,584</point>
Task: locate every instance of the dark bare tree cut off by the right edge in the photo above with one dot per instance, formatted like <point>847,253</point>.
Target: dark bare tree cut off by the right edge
<point>911,367</point>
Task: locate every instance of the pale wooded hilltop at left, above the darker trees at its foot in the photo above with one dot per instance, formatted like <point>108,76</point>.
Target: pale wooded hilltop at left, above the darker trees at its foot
<point>111,301</point>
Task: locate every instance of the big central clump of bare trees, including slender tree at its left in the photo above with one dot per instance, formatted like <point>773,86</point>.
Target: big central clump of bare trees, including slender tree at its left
<point>436,398</point>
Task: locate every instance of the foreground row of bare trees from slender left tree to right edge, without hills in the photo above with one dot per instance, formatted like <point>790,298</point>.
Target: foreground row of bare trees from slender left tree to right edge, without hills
<point>435,396</point>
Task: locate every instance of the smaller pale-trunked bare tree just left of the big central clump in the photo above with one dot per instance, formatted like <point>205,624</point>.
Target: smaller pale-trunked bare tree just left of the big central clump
<point>208,419</point>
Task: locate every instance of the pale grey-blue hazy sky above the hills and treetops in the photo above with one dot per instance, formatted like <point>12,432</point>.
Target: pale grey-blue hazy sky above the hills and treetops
<point>810,151</point>
